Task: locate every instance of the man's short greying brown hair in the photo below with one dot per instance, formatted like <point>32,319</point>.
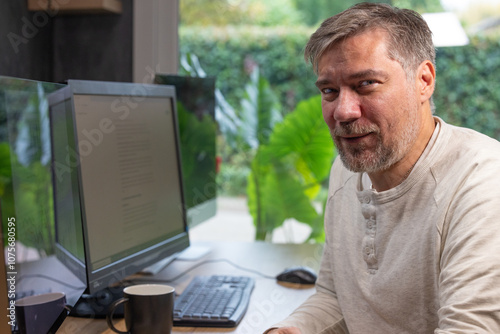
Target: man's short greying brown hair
<point>410,39</point>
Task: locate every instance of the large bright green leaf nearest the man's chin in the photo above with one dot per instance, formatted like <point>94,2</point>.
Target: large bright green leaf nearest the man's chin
<point>287,173</point>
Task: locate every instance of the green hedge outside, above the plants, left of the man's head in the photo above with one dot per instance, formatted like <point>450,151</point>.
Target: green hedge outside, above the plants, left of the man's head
<point>230,53</point>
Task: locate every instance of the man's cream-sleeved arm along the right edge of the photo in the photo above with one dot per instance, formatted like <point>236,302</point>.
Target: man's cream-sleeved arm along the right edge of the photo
<point>469,286</point>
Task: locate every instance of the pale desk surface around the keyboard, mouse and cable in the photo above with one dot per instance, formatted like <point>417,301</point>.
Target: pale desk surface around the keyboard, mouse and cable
<point>270,301</point>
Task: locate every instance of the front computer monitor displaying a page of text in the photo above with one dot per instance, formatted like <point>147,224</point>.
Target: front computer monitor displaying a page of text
<point>117,180</point>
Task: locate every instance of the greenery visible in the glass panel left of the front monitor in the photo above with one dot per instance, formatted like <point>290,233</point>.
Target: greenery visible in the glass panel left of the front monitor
<point>25,179</point>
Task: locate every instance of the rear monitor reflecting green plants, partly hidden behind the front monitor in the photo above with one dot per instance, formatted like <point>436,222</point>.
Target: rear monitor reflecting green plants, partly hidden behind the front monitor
<point>198,133</point>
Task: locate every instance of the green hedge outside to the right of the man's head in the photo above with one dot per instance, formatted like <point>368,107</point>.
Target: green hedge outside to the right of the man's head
<point>467,87</point>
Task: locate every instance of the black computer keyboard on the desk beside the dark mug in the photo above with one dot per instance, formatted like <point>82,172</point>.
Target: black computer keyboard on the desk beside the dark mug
<point>213,301</point>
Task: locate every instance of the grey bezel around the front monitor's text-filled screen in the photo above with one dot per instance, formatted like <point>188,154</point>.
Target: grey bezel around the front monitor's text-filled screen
<point>113,273</point>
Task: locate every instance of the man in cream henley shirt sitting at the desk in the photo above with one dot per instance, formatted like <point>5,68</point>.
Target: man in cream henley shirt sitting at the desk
<point>412,219</point>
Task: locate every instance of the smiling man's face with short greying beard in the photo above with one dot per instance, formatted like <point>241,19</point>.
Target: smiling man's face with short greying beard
<point>371,108</point>
